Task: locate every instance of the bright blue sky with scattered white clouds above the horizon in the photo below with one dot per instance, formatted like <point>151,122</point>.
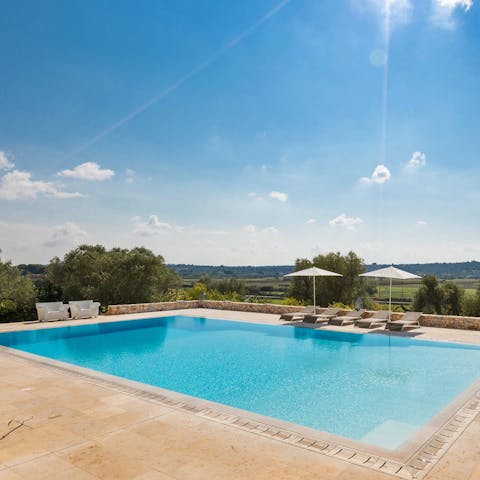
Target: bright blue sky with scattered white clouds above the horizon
<point>249,132</point>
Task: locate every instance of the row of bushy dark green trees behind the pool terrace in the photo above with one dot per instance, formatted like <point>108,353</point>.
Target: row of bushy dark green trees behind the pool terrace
<point>122,276</point>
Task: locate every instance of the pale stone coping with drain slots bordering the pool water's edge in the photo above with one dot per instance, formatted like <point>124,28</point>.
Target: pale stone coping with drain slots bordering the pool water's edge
<point>413,460</point>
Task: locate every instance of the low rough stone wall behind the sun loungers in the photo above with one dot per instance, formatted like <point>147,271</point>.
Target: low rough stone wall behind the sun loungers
<point>442,321</point>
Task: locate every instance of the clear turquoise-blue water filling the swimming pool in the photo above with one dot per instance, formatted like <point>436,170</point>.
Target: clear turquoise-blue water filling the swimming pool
<point>366,387</point>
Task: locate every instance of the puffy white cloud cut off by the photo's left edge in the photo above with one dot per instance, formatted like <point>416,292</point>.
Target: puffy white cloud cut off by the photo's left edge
<point>18,184</point>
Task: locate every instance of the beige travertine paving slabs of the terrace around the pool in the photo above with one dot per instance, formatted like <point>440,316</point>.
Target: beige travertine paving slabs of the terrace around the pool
<point>78,429</point>
